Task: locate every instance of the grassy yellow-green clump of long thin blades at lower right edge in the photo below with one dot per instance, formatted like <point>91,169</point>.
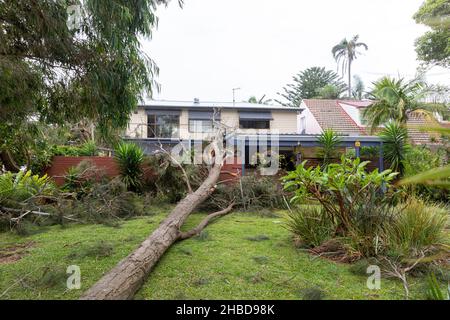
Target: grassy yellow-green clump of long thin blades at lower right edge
<point>418,225</point>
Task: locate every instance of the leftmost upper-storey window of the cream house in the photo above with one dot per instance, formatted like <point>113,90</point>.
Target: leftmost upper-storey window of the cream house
<point>163,126</point>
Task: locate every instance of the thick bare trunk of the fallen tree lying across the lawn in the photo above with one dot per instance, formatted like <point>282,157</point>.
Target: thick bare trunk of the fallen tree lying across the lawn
<point>124,280</point>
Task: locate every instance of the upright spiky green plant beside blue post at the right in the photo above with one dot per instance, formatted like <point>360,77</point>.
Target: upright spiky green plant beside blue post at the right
<point>395,145</point>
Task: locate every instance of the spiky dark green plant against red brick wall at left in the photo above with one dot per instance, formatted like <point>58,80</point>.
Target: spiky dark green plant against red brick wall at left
<point>129,158</point>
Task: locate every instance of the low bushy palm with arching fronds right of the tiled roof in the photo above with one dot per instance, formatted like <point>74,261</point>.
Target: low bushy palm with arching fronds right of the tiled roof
<point>396,100</point>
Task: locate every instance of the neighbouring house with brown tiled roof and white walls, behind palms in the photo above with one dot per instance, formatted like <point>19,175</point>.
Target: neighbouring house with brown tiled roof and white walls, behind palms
<point>346,118</point>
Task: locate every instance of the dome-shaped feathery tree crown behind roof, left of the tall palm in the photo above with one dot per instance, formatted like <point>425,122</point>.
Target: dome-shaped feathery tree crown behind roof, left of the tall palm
<point>308,83</point>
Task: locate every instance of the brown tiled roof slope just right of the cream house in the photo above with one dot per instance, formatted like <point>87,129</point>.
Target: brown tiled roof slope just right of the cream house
<point>330,115</point>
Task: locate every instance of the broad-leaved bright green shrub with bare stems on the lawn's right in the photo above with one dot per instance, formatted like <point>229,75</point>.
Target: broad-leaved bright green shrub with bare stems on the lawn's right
<point>351,196</point>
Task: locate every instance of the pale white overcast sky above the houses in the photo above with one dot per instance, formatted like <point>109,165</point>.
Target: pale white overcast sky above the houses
<point>211,46</point>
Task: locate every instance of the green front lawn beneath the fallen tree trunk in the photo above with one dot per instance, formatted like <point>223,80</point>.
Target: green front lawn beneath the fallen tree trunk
<point>225,263</point>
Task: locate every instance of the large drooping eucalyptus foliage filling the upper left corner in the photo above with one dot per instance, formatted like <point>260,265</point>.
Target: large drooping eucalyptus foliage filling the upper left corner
<point>65,61</point>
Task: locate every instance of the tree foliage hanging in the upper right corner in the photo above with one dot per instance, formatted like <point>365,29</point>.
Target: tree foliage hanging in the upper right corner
<point>433,47</point>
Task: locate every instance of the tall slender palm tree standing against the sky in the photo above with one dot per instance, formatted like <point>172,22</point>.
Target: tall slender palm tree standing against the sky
<point>345,52</point>
